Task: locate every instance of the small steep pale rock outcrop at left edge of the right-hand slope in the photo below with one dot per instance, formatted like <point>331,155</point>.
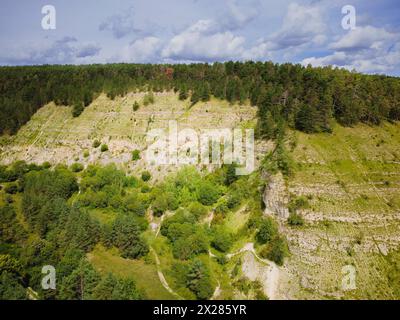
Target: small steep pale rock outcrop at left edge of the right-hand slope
<point>275,197</point>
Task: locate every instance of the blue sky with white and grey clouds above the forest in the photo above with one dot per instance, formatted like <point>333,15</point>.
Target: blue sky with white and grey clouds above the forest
<point>185,31</point>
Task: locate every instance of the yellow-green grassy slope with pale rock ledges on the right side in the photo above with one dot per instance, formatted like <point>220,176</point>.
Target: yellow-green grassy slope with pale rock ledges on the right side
<point>353,179</point>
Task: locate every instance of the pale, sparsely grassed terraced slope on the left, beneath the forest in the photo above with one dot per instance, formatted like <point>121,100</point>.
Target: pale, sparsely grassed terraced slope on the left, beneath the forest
<point>54,135</point>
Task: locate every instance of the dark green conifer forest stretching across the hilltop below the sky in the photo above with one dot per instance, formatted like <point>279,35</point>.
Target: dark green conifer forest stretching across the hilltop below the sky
<point>305,98</point>
